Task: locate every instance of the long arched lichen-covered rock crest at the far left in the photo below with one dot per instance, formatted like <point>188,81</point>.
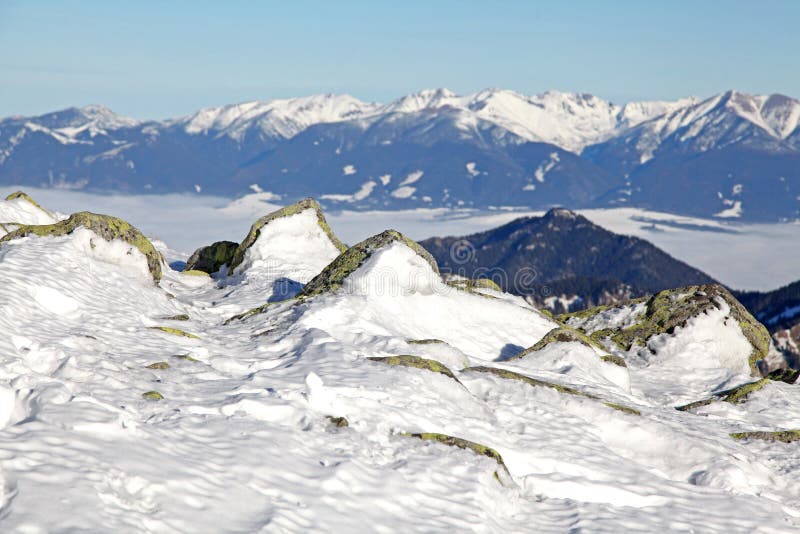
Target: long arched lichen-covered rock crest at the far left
<point>105,226</point>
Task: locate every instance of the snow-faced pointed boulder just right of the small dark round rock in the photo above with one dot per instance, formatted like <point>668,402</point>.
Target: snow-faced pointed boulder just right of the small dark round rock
<point>294,242</point>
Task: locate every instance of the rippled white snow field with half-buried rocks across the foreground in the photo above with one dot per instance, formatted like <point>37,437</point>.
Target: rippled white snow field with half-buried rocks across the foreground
<point>128,405</point>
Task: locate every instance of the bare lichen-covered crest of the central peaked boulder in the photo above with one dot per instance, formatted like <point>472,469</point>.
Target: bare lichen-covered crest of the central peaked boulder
<point>332,277</point>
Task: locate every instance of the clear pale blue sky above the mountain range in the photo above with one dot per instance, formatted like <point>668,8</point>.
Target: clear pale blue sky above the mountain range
<point>158,59</point>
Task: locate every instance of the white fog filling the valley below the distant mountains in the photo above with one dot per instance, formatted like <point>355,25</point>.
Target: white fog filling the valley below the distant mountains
<point>744,256</point>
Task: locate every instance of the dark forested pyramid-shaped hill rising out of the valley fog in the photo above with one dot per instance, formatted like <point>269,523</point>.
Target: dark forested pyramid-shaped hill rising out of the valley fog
<point>570,256</point>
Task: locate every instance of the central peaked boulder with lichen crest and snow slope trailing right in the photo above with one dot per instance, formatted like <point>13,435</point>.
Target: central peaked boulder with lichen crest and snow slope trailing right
<point>390,286</point>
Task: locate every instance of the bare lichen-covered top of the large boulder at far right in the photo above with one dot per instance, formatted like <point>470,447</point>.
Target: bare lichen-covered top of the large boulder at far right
<point>673,308</point>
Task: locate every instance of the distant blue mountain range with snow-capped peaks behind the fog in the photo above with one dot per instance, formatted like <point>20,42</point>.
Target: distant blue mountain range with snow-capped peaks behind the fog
<point>731,155</point>
